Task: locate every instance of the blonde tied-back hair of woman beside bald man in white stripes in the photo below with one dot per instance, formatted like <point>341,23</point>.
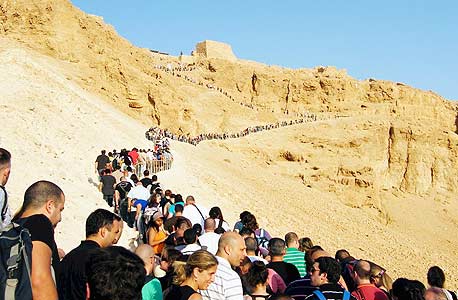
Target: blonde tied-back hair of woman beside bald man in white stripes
<point>201,259</point>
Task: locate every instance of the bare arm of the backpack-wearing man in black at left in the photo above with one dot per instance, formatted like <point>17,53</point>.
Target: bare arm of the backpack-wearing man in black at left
<point>43,286</point>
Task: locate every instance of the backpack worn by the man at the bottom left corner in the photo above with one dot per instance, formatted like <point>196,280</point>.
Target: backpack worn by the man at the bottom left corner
<point>16,260</point>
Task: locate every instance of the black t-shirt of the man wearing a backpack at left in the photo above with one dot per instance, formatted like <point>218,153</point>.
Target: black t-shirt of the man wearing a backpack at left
<point>41,229</point>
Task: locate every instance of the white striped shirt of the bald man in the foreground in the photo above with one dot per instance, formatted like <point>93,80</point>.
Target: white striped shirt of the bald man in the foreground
<point>227,284</point>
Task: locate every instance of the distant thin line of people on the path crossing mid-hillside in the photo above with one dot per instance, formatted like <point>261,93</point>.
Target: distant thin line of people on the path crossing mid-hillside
<point>157,133</point>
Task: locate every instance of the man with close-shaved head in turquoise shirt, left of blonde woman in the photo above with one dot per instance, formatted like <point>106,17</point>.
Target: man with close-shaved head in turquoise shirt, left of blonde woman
<point>152,289</point>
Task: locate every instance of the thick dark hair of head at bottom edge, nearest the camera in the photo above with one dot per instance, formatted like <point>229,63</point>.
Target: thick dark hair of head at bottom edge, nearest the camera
<point>115,273</point>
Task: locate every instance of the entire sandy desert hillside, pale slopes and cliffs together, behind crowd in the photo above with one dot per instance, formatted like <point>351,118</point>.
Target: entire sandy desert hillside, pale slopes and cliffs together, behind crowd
<point>380,182</point>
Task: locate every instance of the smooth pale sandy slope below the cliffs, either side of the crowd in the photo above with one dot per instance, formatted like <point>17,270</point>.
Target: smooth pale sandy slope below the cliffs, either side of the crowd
<point>55,129</point>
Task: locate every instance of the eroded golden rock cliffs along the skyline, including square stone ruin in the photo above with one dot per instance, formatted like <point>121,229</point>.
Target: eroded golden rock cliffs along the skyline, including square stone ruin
<point>414,150</point>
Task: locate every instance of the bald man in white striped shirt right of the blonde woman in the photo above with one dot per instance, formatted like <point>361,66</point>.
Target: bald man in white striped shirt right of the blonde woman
<point>231,253</point>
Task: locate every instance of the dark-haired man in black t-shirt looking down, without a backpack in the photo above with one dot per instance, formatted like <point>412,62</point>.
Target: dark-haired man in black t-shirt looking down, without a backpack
<point>102,229</point>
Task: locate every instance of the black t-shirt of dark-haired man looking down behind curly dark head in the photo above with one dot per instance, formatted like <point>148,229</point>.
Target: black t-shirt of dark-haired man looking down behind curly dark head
<point>72,273</point>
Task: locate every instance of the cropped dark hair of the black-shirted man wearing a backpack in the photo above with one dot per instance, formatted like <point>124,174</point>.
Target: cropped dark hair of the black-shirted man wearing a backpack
<point>38,194</point>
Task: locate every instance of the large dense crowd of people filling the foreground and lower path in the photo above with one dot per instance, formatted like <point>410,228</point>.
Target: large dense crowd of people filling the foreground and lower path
<point>183,251</point>
